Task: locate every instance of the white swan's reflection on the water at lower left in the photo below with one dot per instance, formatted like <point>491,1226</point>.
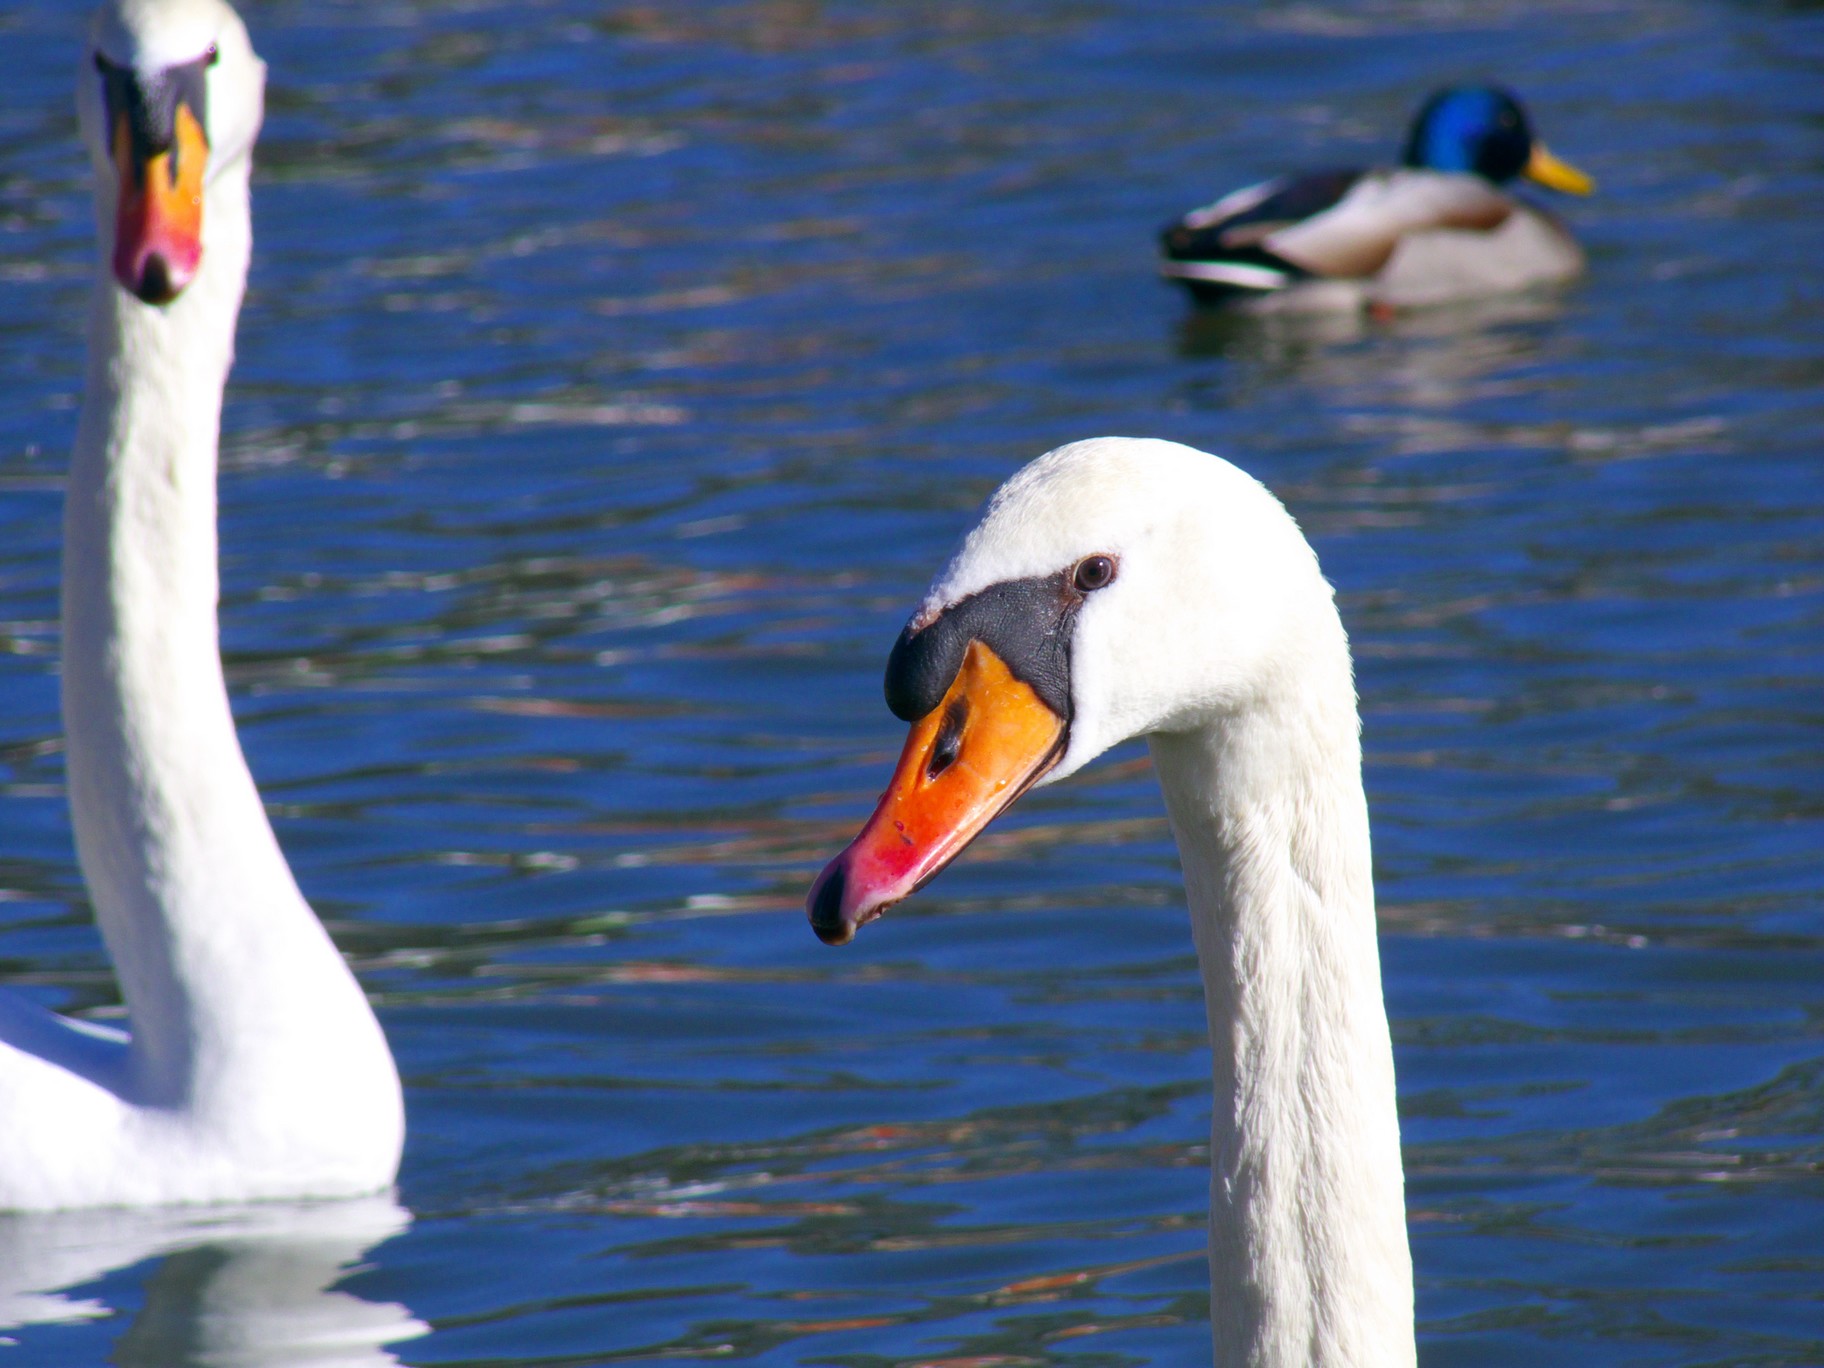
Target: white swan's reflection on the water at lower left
<point>245,1287</point>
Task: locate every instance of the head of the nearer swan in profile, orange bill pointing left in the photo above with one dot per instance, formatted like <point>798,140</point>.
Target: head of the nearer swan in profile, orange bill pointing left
<point>1114,588</point>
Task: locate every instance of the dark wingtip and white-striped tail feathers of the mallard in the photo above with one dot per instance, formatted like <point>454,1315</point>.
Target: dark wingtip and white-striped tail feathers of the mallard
<point>1228,244</point>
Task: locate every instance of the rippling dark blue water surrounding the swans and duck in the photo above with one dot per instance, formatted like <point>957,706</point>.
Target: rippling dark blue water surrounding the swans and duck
<point>610,386</point>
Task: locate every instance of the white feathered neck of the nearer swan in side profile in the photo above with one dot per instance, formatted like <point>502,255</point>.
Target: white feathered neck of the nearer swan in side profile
<point>1309,1258</point>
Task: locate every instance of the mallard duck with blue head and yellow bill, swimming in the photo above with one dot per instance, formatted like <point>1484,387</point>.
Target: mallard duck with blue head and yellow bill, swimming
<point>1436,227</point>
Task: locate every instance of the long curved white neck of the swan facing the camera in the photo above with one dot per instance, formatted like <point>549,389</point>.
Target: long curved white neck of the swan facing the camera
<point>233,988</point>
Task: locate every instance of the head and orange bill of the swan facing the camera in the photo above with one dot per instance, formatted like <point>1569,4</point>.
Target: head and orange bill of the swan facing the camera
<point>171,98</point>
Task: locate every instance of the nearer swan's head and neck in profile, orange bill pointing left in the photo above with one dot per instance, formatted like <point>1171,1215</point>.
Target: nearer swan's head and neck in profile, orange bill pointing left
<point>1128,588</point>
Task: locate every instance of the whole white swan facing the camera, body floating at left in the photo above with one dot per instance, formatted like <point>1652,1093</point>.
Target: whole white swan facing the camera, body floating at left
<point>254,1068</point>
